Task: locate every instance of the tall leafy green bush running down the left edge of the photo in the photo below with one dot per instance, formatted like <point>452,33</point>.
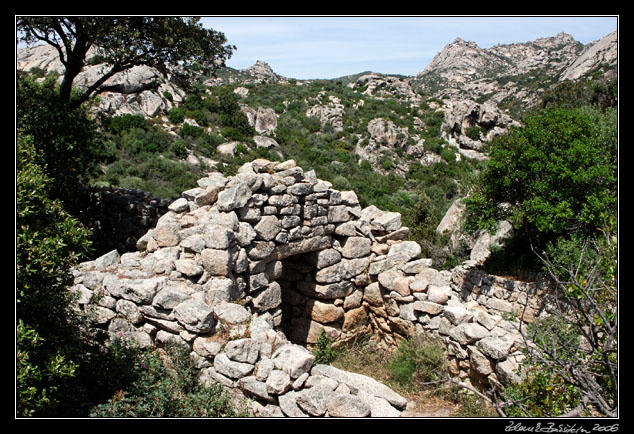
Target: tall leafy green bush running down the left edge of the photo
<point>48,242</point>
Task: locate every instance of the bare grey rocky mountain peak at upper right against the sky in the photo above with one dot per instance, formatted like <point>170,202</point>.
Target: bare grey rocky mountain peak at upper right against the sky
<point>513,76</point>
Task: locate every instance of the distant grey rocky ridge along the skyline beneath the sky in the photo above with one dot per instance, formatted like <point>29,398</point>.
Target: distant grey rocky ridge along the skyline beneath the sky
<point>461,68</point>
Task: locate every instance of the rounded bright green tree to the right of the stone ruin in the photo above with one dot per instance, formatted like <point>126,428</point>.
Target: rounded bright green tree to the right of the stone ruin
<point>555,176</point>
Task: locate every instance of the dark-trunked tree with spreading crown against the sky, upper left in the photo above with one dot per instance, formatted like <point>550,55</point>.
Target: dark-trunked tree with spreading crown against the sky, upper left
<point>124,42</point>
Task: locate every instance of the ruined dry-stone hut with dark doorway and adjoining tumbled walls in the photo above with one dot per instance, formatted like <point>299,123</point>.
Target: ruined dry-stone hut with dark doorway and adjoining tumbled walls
<point>244,271</point>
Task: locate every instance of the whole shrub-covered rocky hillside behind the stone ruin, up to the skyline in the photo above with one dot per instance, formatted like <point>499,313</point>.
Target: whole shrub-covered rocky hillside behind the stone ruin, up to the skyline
<point>402,143</point>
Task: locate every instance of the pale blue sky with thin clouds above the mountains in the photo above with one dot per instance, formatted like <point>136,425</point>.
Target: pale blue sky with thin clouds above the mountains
<point>329,47</point>
